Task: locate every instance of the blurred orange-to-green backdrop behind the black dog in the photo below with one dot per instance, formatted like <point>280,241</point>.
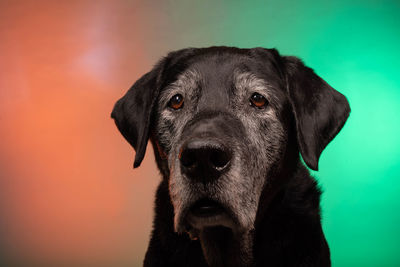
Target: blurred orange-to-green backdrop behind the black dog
<point>68,194</point>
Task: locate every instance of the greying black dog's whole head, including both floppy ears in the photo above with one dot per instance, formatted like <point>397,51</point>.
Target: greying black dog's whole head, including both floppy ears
<point>225,122</point>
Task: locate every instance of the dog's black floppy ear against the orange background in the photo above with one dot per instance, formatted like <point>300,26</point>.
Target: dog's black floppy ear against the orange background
<point>132,113</point>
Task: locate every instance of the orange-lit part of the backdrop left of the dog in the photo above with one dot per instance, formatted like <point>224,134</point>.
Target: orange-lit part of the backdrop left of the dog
<point>68,192</point>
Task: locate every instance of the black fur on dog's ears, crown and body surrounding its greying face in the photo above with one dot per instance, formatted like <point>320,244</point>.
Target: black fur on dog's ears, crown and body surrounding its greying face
<point>287,227</point>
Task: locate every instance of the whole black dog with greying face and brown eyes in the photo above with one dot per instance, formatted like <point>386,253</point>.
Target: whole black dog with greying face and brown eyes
<point>228,126</point>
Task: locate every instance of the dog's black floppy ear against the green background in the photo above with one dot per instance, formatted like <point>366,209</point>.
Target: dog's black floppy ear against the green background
<point>320,111</point>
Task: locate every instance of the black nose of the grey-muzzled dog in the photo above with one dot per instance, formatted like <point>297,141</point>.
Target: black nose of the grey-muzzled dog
<point>204,160</point>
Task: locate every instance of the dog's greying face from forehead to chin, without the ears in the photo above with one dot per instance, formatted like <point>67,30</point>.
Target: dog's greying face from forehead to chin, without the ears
<point>221,140</point>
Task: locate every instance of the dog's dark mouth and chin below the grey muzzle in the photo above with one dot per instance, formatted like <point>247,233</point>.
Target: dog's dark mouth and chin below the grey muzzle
<point>206,213</point>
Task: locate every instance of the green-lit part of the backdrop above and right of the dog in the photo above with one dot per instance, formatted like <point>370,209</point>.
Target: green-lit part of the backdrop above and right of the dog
<point>354,46</point>
